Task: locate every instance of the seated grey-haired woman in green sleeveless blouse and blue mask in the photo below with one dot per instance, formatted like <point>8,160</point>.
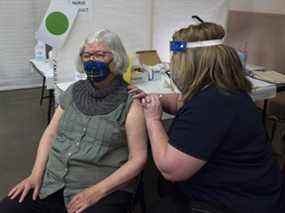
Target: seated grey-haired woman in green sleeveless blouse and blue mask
<point>95,145</point>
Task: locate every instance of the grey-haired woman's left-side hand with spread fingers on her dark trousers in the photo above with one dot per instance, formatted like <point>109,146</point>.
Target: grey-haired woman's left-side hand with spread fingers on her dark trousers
<point>23,188</point>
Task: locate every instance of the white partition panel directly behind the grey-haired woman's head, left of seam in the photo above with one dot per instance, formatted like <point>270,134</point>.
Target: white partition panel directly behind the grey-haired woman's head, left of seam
<point>130,19</point>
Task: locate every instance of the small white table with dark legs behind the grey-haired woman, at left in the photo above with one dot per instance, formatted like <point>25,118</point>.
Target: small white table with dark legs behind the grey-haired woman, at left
<point>46,72</point>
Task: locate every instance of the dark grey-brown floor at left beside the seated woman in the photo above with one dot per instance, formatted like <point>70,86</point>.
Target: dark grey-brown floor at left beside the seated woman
<point>22,121</point>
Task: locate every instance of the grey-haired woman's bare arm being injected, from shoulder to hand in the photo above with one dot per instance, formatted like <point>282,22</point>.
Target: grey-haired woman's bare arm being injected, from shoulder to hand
<point>136,139</point>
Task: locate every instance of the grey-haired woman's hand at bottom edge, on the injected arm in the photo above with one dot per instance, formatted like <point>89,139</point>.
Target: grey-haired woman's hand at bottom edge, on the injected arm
<point>83,200</point>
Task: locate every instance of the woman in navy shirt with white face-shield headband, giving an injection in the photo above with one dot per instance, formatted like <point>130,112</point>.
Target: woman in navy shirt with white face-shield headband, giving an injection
<point>216,151</point>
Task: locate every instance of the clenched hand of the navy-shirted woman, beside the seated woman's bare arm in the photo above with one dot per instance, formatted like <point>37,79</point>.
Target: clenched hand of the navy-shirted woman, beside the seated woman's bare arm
<point>152,108</point>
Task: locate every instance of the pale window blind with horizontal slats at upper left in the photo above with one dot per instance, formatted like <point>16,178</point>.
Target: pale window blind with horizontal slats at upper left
<point>18,22</point>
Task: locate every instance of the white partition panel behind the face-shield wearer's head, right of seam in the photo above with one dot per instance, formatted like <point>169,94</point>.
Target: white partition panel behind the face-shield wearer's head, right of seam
<point>170,15</point>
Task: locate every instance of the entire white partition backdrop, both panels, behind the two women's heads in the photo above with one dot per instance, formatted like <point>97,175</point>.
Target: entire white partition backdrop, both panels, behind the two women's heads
<point>141,25</point>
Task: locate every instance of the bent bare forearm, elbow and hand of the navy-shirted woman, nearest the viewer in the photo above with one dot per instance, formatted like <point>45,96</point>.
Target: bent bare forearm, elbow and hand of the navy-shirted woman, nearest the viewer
<point>173,164</point>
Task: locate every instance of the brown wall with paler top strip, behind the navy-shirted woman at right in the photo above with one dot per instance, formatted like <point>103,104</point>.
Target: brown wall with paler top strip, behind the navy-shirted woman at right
<point>260,24</point>
